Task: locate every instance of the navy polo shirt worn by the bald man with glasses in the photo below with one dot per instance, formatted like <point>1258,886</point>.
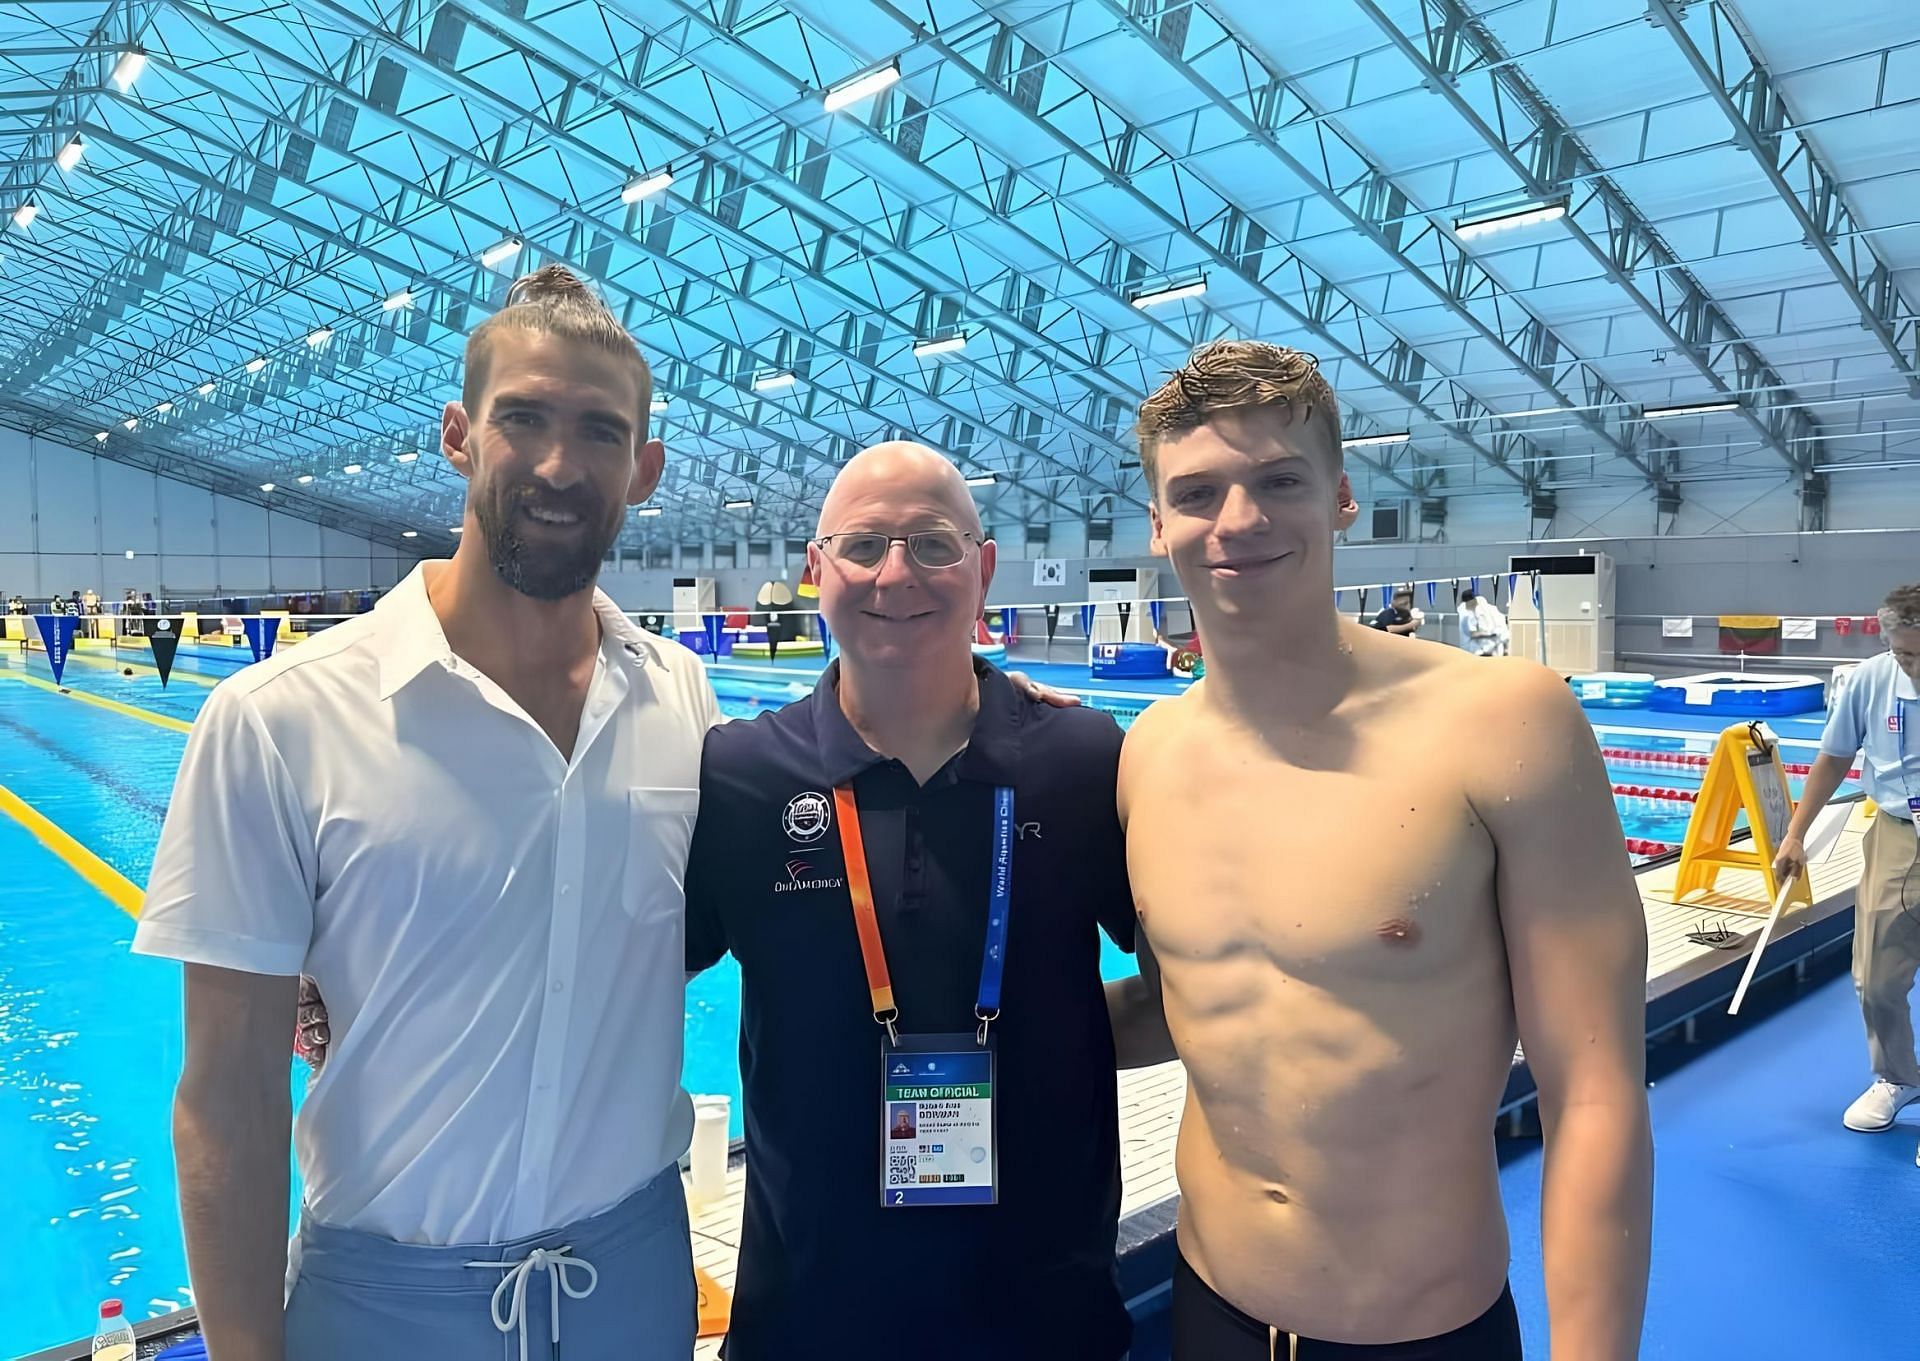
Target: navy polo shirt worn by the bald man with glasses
<point>825,1270</point>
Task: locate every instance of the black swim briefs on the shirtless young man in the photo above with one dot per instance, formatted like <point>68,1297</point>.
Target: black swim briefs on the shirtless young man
<point>1211,1329</point>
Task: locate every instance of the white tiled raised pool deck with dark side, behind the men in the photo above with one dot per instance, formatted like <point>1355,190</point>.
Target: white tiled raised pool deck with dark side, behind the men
<point>1683,982</point>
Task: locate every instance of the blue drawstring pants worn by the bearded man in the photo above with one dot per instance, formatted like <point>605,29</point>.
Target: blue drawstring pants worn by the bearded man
<point>617,1287</point>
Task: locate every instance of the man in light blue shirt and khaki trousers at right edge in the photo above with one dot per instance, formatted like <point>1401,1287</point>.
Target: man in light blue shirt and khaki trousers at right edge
<point>1875,721</point>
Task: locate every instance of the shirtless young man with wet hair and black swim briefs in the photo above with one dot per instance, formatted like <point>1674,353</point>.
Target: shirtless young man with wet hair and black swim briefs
<point>1349,1016</point>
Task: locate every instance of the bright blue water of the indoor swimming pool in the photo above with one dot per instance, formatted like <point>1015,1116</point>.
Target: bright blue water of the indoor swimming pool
<point>91,1034</point>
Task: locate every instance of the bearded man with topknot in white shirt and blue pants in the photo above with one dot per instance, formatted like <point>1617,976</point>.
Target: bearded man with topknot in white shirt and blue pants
<point>466,817</point>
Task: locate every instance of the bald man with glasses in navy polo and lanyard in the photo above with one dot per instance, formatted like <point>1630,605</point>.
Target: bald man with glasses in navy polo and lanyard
<point>913,869</point>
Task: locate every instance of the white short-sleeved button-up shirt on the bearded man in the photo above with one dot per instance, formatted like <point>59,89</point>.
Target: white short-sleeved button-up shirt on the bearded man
<point>496,930</point>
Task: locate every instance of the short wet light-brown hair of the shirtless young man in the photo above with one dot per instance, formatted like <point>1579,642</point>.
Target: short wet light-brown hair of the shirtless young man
<point>1228,375</point>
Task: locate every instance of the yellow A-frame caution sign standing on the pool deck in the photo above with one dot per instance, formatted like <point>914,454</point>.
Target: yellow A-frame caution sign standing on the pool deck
<point>1744,776</point>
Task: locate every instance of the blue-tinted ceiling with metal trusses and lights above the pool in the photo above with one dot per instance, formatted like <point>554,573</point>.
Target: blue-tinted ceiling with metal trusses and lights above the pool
<point>243,243</point>
